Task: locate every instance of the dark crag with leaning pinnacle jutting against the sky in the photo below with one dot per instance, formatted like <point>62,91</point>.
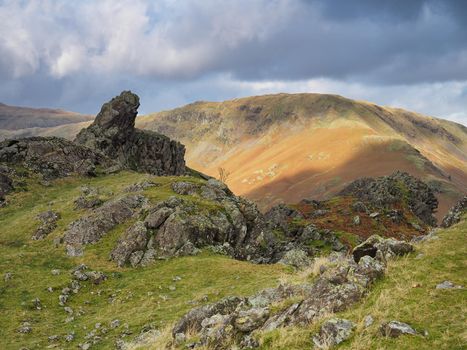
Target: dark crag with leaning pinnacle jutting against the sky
<point>113,133</point>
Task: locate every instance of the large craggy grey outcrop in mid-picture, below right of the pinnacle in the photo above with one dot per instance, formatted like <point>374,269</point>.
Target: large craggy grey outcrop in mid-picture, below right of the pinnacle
<point>177,227</point>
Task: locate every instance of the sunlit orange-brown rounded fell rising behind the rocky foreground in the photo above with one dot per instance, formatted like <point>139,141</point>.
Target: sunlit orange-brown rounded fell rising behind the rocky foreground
<point>283,148</point>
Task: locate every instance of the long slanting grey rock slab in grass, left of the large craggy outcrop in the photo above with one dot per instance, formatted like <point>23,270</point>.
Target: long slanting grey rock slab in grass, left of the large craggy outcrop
<point>90,228</point>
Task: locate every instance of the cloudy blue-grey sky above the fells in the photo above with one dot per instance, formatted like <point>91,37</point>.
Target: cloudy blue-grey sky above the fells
<point>78,54</point>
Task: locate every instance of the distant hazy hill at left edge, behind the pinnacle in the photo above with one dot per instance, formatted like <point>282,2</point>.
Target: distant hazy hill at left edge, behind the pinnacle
<point>17,118</point>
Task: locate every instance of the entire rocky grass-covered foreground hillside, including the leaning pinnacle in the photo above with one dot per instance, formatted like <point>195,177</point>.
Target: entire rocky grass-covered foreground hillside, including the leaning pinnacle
<point>111,242</point>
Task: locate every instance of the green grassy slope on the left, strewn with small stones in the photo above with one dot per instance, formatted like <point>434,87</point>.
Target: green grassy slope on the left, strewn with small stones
<point>142,295</point>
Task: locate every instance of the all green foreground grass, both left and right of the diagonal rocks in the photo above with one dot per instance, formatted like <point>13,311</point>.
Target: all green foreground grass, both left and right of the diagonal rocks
<point>147,300</point>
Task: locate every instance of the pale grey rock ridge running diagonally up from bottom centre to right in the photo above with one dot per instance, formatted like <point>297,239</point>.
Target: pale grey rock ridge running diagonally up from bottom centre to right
<point>233,320</point>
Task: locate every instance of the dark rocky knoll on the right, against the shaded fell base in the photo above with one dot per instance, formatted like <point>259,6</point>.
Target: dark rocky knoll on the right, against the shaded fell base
<point>383,192</point>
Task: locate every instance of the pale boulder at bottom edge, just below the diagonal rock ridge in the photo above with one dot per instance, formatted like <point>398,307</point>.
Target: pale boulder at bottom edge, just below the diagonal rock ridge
<point>333,332</point>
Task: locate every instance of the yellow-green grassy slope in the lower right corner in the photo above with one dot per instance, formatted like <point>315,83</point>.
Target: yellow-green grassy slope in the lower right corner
<point>407,293</point>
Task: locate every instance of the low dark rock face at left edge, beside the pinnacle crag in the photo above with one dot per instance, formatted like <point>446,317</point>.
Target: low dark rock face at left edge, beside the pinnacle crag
<point>52,157</point>
